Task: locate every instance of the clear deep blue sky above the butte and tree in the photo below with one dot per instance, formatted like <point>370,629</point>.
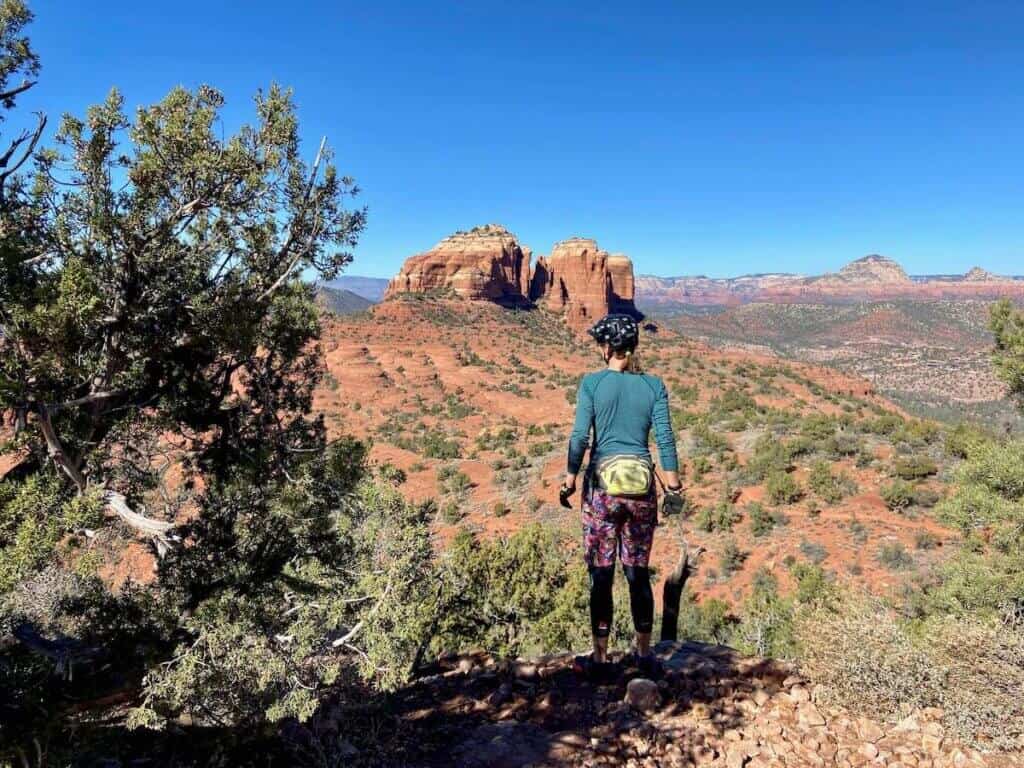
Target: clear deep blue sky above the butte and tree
<point>715,139</point>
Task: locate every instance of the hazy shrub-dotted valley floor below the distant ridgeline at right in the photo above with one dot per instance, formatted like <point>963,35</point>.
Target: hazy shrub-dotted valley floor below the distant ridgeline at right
<point>931,358</point>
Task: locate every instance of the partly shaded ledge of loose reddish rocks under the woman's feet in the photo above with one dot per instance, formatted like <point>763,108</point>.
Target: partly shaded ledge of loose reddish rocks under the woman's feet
<point>712,708</point>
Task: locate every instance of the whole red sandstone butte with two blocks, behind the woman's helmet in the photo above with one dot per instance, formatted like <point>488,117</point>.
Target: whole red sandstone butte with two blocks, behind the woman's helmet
<point>578,280</point>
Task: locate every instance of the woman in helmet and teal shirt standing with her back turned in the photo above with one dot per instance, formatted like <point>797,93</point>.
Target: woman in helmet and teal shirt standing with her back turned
<point>621,405</point>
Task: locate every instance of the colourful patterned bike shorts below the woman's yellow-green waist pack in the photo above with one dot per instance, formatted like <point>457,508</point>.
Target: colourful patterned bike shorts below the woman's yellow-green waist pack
<point>612,524</point>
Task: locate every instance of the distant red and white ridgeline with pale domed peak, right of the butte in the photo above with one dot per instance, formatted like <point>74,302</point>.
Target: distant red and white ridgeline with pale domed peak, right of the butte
<point>870,279</point>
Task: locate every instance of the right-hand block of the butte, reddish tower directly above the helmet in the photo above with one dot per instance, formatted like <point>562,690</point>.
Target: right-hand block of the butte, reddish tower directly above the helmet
<point>583,282</point>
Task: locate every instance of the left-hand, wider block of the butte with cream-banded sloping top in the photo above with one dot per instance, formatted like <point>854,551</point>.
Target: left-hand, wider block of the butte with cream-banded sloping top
<point>487,263</point>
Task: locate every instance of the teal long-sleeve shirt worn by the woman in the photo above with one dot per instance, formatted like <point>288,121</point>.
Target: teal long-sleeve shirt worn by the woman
<point>622,408</point>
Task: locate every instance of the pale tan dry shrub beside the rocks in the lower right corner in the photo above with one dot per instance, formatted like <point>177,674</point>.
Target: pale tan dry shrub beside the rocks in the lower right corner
<point>870,662</point>
